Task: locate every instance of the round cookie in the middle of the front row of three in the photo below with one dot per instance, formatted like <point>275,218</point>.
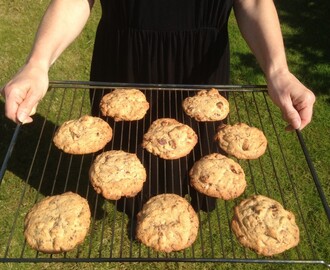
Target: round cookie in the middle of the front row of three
<point>167,222</point>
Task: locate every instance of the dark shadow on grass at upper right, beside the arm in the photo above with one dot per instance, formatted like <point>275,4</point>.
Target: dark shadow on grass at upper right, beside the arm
<point>307,46</point>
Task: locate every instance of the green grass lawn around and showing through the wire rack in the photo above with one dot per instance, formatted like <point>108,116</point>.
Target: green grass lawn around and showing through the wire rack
<point>306,37</point>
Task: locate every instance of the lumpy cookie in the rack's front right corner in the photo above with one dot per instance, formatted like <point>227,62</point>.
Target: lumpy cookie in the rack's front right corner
<point>263,225</point>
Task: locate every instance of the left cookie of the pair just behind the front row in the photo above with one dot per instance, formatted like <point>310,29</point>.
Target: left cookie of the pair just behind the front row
<point>116,173</point>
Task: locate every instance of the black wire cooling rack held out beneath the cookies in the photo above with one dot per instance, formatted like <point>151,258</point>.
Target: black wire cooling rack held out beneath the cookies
<point>35,168</point>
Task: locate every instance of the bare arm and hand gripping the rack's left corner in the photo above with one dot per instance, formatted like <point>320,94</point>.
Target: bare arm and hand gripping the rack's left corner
<point>61,24</point>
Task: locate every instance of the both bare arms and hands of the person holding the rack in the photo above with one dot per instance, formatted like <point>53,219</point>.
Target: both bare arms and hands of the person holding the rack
<point>257,20</point>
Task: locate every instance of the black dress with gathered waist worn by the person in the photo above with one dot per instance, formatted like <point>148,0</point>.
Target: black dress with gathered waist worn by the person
<point>161,41</point>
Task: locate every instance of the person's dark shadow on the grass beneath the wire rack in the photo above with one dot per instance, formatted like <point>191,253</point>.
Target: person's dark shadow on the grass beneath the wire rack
<point>36,161</point>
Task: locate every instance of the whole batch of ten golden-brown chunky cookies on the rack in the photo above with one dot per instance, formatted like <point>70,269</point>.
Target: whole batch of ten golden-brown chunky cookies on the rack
<point>59,223</point>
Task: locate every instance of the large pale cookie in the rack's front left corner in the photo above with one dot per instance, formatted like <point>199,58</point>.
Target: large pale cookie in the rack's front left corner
<point>57,223</point>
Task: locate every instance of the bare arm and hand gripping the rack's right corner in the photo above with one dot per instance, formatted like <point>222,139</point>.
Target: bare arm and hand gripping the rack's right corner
<point>260,27</point>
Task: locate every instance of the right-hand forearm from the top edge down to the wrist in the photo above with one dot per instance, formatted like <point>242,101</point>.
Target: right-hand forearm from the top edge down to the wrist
<point>259,25</point>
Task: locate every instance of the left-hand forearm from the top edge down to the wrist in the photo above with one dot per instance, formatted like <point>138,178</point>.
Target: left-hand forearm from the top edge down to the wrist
<point>62,23</point>
